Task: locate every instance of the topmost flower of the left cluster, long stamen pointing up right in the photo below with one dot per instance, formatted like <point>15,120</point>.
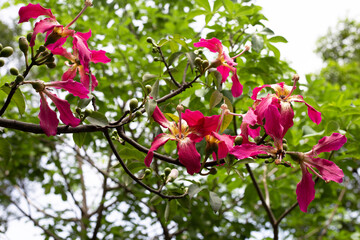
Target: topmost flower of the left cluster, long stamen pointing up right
<point>56,34</point>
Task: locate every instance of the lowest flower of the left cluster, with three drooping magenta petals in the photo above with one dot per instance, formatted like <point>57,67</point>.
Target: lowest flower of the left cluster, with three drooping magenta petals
<point>48,117</point>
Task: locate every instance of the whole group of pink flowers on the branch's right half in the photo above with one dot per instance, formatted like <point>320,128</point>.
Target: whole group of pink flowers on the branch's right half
<point>273,113</point>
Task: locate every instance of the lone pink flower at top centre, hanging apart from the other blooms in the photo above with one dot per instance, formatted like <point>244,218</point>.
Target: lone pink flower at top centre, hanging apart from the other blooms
<point>224,64</point>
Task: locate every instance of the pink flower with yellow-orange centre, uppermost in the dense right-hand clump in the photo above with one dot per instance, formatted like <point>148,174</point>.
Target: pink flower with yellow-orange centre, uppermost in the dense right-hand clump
<point>282,101</point>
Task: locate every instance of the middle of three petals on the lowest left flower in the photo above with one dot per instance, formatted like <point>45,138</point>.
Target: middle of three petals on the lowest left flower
<point>63,106</point>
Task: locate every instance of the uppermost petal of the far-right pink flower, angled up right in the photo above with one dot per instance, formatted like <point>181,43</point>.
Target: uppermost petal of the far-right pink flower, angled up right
<point>328,144</point>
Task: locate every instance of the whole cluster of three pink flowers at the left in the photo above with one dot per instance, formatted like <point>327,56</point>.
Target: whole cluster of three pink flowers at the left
<point>56,36</point>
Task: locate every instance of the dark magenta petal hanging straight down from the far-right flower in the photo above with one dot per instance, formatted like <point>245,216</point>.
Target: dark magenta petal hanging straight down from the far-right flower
<point>305,190</point>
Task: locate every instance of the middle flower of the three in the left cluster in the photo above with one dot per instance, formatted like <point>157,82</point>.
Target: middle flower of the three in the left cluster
<point>76,65</point>
